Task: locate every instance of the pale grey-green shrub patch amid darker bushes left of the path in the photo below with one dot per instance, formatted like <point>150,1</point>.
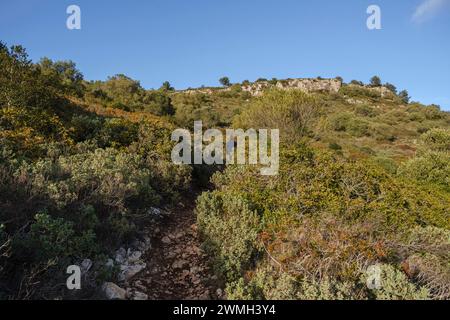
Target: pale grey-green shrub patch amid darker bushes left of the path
<point>107,176</point>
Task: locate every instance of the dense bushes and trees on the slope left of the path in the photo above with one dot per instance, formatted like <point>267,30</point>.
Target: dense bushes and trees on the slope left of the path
<point>73,181</point>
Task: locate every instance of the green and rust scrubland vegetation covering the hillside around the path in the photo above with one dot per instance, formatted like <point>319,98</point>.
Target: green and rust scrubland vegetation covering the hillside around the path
<point>364,180</point>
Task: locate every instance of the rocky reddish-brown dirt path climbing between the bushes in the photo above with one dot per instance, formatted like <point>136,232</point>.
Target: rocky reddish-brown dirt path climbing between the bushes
<point>177,268</point>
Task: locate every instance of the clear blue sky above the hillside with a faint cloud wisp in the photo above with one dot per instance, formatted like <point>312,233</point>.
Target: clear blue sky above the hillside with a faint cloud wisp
<point>194,42</point>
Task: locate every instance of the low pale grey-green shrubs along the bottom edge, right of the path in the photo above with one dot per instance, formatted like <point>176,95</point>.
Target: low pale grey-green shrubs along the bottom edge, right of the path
<point>275,284</point>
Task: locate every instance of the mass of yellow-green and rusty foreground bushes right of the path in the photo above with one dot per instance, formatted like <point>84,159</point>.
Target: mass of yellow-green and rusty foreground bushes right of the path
<point>323,221</point>
